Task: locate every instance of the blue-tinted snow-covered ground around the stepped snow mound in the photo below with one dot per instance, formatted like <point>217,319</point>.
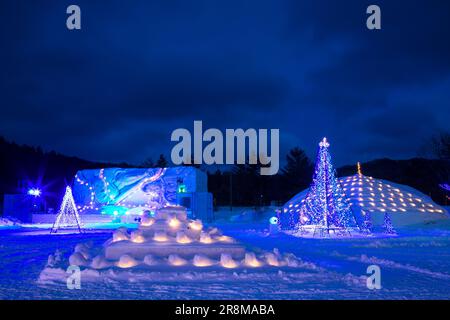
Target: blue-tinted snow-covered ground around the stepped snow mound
<point>414,265</point>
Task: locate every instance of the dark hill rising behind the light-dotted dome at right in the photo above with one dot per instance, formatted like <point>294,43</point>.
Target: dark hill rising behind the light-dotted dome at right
<point>422,174</point>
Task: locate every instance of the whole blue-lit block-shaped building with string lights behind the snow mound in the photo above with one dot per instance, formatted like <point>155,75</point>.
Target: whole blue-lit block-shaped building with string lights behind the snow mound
<point>122,192</point>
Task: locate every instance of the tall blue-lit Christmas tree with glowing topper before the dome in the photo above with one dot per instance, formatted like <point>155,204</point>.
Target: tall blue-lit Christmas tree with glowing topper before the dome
<point>326,207</point>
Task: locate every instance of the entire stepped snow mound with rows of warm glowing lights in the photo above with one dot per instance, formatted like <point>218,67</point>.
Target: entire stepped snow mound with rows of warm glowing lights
<point>167,243</point>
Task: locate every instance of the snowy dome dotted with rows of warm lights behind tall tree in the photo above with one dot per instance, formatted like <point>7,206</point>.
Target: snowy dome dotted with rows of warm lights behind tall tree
<point>406,205</point>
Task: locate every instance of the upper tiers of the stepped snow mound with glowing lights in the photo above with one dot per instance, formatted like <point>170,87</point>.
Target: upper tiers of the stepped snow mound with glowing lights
<point>170,235</point>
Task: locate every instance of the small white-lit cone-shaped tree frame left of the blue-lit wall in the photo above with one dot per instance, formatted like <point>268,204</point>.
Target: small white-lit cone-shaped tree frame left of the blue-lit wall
<point>68,214</point>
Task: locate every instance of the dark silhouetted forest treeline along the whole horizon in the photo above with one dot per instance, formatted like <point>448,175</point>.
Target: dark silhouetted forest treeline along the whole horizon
<point>23,166</point>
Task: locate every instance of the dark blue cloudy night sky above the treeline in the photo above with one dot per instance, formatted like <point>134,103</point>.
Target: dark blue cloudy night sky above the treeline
<point>137,70</point>
